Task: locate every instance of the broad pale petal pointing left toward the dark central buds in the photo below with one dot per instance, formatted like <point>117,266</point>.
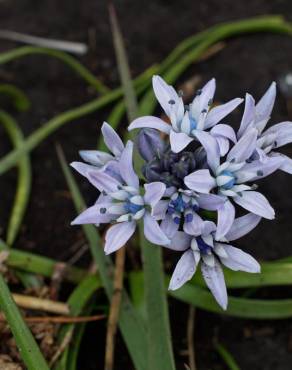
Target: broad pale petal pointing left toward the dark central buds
<point>200,181</point>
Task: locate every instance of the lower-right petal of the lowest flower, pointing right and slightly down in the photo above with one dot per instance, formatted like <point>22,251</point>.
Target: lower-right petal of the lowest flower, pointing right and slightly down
<point>238,260</point>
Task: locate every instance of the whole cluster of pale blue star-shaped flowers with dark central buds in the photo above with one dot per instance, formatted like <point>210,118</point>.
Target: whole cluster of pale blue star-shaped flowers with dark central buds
<point>195,175</point>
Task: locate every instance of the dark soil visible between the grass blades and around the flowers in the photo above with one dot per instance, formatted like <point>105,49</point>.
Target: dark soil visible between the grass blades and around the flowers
<point>151,29</point>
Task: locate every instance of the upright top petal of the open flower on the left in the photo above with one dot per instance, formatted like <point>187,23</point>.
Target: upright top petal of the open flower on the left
<point>126,166</point>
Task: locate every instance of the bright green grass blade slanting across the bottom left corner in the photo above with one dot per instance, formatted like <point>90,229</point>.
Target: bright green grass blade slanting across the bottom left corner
<point>28,348</point>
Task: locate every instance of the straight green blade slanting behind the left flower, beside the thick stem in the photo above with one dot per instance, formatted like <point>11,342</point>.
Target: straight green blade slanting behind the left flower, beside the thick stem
<point>132,329</point>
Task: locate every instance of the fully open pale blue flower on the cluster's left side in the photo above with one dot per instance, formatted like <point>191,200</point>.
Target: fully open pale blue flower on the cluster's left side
<point>122,203</point>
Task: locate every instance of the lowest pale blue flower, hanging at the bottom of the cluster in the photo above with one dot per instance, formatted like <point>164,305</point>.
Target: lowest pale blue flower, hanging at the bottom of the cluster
<point>212,252</point>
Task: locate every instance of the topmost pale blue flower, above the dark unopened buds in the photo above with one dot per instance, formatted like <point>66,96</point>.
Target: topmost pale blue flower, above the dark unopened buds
<point>188,122</point>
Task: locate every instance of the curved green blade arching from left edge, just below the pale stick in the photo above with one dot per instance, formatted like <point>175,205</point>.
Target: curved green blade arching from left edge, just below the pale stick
<point>65,58</point>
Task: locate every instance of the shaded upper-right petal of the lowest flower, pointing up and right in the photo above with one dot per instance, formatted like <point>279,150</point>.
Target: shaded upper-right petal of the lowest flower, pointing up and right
<point>242,226</point>
